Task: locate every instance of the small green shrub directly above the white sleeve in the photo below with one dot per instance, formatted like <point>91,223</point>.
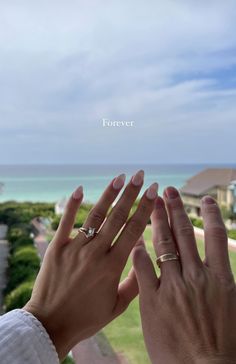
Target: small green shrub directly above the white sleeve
<point>19,296</point>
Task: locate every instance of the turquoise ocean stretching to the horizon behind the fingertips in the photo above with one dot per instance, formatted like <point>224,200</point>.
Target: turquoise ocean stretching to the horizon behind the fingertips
<point>50,183</point>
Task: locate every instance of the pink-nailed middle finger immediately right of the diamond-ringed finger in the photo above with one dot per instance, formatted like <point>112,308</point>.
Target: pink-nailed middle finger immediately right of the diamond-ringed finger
<point>120,212</point>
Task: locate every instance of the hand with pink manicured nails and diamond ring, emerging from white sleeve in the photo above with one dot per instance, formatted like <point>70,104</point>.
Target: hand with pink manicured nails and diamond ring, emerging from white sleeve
<point>77,291</point>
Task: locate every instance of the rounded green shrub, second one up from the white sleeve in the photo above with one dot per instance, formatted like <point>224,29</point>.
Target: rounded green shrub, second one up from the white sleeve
<point>24,265</point>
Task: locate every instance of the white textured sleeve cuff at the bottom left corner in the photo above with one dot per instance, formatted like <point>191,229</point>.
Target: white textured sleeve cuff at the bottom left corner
<point>23,340</point>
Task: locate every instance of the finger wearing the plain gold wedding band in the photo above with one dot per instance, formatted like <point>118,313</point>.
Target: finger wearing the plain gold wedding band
<point>163,239</point>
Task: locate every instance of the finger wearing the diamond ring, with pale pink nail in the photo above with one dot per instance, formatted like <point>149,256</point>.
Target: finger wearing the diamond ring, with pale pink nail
<point>99,211</point>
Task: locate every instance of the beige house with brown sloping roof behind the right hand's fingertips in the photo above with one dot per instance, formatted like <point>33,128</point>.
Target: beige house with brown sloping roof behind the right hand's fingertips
<point>219,183</point>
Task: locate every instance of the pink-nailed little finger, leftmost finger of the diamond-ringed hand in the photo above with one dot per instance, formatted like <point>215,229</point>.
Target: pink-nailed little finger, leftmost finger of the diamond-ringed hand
<point>68,218</point>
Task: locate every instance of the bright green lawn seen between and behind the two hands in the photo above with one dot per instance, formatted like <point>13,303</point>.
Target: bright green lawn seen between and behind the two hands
<point>125,334</point>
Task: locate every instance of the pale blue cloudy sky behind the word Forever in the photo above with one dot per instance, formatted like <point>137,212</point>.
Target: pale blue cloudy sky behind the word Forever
<point>168,66</point>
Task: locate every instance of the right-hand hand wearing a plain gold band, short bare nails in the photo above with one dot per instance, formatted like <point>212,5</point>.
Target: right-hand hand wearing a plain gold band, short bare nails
<point>189,313</point>
